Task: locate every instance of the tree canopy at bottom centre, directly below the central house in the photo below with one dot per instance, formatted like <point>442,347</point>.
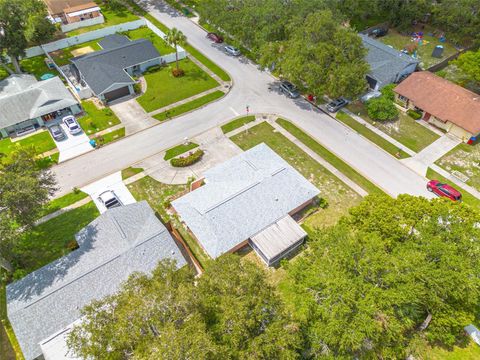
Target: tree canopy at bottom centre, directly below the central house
<point>230,312</point>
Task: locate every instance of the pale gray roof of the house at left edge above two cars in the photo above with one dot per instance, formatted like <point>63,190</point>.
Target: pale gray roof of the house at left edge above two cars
<point>23,98</point>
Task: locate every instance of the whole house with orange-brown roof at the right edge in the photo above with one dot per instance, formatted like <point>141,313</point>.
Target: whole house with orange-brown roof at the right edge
<point>442,103</point>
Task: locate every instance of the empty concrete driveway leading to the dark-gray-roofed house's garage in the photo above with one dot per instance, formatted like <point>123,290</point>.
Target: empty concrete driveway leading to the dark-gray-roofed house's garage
<point>132,115</point>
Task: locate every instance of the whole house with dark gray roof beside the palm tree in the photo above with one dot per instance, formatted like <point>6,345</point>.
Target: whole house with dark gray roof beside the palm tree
<point>108,72</point>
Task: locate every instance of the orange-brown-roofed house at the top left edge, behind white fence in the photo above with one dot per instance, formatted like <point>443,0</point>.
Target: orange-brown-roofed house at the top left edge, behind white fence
<point>73,14</point>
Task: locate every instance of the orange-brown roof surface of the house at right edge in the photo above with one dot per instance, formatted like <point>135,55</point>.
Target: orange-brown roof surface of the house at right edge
<point>443,99</point>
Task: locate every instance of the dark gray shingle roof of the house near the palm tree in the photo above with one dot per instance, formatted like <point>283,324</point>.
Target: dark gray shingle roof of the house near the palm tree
<point>104,68</point>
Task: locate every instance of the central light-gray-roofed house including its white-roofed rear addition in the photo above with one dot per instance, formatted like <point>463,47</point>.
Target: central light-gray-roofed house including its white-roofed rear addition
<point>248,199</point>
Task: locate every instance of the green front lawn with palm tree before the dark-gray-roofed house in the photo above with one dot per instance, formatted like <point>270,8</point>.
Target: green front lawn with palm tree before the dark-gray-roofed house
<point>164,89</point>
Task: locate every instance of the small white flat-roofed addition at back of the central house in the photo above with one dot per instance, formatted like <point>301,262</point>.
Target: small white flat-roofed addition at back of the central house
<point>278,240</point>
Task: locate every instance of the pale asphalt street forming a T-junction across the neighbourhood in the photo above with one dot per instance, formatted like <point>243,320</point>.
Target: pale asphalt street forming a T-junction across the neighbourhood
<point>251,87</point>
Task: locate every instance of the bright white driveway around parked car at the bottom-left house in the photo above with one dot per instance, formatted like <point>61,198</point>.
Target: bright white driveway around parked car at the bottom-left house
<point>112,182</point>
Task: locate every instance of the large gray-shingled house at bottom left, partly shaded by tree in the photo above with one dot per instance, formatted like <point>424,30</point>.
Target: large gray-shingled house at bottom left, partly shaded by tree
<point>119,242</point>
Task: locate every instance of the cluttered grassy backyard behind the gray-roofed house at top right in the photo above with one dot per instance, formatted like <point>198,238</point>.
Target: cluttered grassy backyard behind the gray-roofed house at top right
<point>399,41</point>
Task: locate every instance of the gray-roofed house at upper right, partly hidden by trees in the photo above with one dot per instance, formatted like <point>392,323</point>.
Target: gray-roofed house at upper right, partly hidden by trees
<point>387,65</point>
